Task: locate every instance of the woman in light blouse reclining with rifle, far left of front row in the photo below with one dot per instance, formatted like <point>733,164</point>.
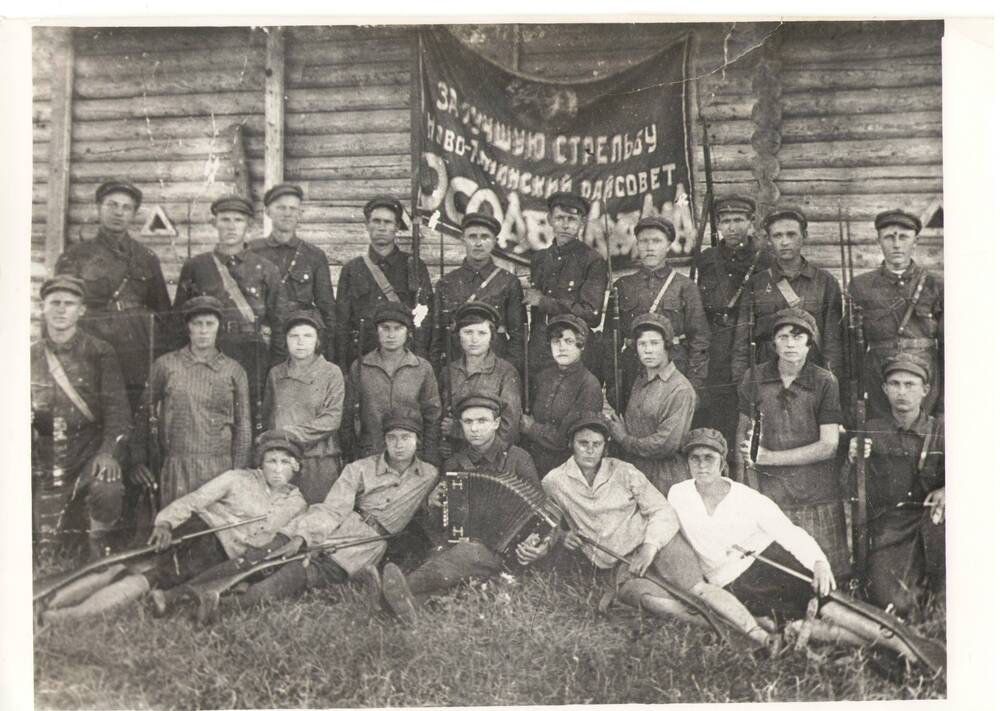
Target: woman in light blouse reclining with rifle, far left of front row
<point>235,495</point>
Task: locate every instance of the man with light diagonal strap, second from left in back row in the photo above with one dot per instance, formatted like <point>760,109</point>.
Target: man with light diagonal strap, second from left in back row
<point>247,285</point>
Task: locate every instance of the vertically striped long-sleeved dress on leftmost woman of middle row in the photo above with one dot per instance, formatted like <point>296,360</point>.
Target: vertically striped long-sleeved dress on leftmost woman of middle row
<point>204,422</point>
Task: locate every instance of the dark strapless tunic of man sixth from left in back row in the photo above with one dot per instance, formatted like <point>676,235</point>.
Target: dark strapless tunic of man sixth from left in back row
<point>572,278</point>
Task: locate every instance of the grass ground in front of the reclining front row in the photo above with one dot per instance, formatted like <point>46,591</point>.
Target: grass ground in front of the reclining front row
<point>537,640</point>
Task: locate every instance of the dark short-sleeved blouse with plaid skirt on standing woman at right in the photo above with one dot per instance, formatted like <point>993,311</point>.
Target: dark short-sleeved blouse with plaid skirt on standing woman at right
<point>791,417</point>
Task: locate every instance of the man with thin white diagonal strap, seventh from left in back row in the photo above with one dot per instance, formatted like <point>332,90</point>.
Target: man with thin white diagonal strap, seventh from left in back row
<point>657,288</point>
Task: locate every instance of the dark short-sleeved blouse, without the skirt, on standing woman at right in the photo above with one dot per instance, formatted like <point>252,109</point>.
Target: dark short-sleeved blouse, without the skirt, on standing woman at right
<point>791,417</point>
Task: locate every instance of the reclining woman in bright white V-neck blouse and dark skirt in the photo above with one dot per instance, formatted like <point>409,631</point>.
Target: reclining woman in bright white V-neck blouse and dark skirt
<point>720,517</point>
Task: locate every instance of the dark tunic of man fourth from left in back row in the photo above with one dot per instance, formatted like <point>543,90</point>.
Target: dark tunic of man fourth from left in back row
<point>358,295</point>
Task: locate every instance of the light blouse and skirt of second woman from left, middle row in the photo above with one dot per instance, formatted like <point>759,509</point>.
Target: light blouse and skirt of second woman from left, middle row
<point>307,402</point>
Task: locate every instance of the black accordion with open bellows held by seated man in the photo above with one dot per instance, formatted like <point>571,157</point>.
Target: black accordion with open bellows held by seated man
<point>498,510</point>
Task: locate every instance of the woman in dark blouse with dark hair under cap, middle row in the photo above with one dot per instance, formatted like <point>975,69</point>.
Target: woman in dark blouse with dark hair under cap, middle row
<point>564,390</point>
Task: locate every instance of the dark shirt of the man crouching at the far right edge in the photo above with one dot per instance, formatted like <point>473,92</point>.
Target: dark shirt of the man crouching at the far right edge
<point>892,470</point>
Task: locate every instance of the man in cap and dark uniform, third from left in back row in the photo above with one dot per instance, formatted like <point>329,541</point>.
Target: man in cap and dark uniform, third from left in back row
<point>304,269</point>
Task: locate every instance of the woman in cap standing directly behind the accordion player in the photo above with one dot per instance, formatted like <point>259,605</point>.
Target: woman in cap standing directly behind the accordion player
<point>479,370</point>
